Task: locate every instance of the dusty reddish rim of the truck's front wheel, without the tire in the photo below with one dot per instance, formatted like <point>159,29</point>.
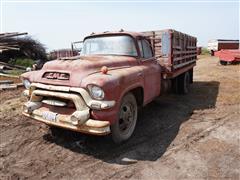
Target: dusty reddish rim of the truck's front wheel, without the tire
<point>127,117</point>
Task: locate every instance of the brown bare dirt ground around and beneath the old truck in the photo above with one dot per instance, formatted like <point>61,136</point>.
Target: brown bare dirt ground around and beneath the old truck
<point>195,136</point>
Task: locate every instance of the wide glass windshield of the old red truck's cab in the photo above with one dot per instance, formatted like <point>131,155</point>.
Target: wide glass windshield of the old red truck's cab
<point>109,45</point>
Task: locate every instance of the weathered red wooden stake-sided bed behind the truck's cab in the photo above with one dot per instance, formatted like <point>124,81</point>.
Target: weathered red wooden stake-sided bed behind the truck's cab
<point>175,51</point>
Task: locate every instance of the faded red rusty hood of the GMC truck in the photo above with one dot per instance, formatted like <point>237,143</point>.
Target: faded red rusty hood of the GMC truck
<point>78,68</point>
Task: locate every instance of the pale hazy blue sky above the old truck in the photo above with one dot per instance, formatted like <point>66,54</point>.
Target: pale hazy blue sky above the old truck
<point>56,24</point>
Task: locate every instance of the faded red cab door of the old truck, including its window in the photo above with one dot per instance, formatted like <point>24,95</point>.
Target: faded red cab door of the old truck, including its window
<point>150,71</point>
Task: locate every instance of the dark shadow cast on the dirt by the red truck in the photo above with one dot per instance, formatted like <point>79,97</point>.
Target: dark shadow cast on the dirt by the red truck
<point>158,125</point>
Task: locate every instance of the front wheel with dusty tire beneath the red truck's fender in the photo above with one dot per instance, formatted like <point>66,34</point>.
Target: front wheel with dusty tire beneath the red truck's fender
<point>123,129</point>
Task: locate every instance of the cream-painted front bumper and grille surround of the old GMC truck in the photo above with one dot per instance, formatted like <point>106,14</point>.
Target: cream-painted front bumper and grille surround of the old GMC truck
<point>79,120</point>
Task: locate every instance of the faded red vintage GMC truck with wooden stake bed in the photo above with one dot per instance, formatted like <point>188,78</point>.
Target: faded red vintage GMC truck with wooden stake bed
<point>100,91</point>
